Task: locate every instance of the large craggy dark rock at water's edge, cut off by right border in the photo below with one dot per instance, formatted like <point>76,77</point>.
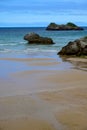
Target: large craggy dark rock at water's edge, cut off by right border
<point>77,47</point>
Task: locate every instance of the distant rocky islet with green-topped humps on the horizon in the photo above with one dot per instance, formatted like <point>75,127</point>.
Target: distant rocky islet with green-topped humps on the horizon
<point>68,26</point>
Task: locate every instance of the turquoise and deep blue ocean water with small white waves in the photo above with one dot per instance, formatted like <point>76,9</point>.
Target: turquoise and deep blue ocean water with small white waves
<point>12,42</point>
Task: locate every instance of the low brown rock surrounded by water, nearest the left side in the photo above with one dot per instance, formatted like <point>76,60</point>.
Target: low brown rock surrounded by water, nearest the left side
<point>34,38</point>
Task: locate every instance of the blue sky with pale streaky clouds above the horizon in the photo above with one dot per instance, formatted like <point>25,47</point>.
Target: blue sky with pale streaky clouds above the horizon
<point>37,13</point>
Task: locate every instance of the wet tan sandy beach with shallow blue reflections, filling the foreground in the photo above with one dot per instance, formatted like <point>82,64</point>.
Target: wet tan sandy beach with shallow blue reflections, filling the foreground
<point>43,94</point>
